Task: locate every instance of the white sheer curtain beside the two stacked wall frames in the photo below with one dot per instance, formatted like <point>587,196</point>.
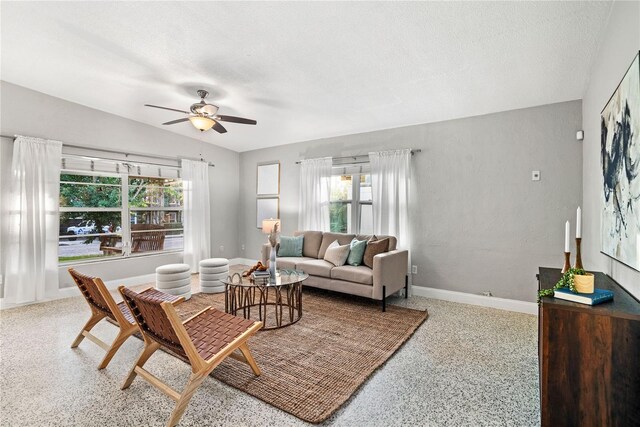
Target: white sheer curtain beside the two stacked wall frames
<point>315,189</point>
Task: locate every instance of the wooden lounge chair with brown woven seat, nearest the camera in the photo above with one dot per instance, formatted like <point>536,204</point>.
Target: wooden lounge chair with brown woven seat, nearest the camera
<point>204,339</point>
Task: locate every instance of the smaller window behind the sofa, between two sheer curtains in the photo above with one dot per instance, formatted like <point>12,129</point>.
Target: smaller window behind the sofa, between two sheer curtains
<point>350,209</point>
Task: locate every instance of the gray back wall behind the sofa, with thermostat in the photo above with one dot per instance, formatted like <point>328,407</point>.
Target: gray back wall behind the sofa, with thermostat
<point>479,222</point>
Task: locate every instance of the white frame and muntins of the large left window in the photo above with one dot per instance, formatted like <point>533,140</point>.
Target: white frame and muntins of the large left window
<point>125,218</point>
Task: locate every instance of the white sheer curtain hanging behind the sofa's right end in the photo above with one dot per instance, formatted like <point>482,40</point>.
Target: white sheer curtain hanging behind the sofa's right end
<point>390,180</point>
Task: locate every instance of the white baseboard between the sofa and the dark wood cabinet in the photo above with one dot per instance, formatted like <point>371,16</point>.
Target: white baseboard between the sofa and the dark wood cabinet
<point>465,298</point>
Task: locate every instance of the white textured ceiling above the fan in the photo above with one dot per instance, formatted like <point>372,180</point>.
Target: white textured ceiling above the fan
<point>302,70</point>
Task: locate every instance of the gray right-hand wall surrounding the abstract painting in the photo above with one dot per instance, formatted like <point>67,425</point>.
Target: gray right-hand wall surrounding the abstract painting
<point>619,45</point>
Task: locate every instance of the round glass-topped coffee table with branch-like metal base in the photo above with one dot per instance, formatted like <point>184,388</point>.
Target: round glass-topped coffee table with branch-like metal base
<point>276,305</point>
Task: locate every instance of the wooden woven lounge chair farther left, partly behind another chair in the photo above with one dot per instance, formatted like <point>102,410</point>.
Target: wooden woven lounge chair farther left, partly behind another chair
<point>102,305</point>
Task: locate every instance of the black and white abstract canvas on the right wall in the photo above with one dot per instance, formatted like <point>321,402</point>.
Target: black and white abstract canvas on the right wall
<point>620,164</point>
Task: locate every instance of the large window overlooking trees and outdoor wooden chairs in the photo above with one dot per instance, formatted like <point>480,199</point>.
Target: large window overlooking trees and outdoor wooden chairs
<point>97,222</point>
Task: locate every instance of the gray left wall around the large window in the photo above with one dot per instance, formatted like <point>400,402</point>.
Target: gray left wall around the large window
<point>31,113</point>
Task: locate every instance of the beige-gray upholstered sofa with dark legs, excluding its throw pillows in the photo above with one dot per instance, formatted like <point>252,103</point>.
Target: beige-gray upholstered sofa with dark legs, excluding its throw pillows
<point>388,276</point>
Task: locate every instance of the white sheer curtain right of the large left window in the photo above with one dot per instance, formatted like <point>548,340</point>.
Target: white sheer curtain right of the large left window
<point>197,212</point>
